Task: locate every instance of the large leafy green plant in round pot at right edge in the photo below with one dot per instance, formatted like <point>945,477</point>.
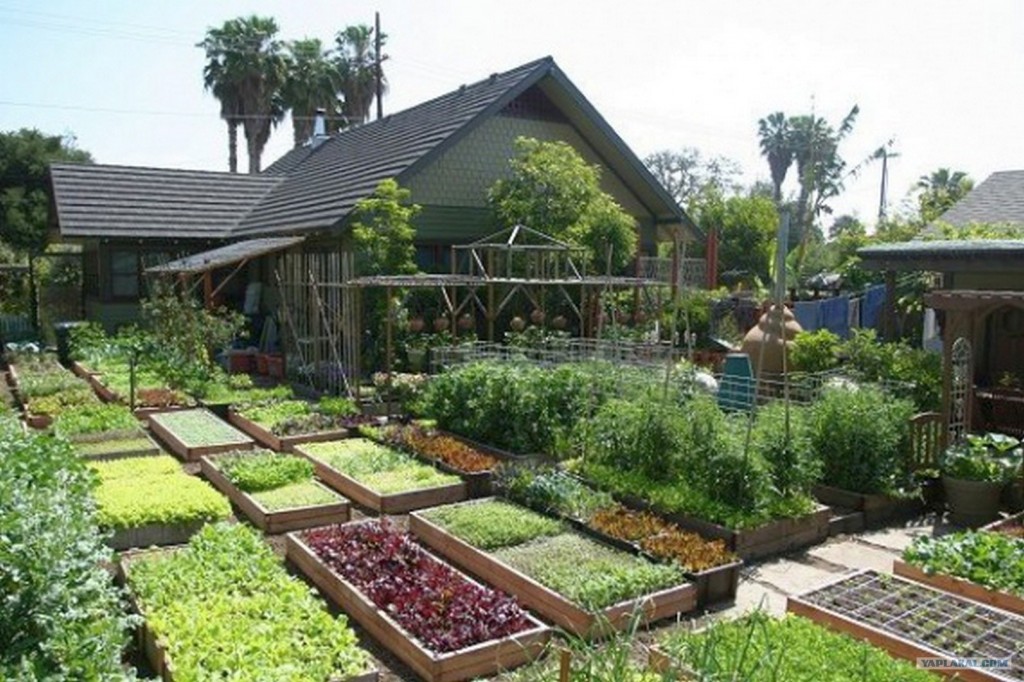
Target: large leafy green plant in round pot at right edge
<point>974,474</point>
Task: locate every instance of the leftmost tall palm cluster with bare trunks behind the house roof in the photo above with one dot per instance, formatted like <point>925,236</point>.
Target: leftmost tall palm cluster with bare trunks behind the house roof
<point>246,69</point>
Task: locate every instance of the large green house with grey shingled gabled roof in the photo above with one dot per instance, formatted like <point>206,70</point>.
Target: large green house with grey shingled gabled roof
<point>448,151</point>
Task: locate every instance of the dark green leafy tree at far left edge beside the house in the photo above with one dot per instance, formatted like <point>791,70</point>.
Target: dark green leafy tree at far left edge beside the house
<point>25,193</point>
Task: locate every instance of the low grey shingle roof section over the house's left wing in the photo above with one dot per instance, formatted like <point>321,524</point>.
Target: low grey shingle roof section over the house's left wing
<point>123,201</point>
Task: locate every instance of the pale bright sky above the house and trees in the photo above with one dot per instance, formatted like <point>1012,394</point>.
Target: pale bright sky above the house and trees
<point>946,79</point>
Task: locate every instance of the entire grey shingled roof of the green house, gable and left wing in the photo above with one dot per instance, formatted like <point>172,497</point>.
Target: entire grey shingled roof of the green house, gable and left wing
<point>314,189</point>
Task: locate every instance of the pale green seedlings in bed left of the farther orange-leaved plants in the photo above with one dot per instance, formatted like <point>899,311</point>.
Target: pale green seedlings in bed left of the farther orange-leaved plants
<point>381,470</point>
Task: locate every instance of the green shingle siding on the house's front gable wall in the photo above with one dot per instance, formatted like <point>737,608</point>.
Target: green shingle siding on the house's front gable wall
<point>462,176</point>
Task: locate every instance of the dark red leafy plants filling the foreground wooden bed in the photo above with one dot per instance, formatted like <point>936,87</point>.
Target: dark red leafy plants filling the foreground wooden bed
<point>430,600</point>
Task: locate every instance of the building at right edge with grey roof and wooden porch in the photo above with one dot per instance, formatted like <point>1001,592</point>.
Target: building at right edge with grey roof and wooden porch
<point>979,306</point>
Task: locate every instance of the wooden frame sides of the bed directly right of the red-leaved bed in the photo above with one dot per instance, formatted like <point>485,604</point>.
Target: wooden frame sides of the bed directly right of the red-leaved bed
<point>545,602</point>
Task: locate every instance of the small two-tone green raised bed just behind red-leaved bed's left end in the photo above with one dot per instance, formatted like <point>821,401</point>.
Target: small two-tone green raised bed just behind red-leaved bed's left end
<point>279,498</point>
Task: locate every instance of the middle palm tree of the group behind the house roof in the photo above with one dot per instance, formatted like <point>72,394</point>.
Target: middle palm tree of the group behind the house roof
<point>313,83</point>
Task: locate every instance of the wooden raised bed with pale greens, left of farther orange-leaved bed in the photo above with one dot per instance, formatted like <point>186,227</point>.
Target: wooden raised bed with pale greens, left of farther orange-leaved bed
<point>380,479</point>
